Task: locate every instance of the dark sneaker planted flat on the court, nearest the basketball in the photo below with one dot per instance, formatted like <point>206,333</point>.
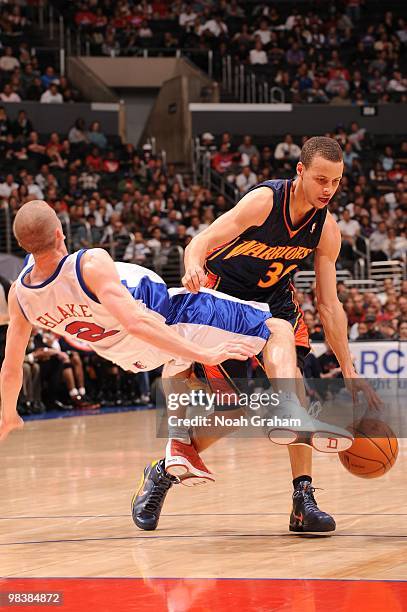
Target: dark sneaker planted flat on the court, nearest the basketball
<point>306,517</point>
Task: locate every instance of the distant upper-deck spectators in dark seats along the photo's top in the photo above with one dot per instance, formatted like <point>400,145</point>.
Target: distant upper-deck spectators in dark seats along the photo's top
<point>340,53</point>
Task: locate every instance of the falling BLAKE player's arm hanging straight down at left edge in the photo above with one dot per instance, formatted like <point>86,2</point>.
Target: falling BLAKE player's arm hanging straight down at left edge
<point>18,336</point>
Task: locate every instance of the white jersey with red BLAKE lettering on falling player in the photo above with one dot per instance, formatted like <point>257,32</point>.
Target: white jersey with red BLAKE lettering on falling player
<point>64,305</point>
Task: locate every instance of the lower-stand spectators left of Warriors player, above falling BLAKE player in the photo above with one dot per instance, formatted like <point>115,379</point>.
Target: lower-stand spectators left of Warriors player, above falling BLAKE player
<point>105,193</point>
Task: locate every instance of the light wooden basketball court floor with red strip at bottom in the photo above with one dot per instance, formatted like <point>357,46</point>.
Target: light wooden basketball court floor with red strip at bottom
<point>66,486</point>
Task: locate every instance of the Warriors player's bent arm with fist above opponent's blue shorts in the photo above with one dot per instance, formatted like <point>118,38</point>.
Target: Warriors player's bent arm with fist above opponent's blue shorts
<point>253,209</point>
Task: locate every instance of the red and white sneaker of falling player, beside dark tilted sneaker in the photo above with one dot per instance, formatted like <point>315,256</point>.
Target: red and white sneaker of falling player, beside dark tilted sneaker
<point>183,460</point>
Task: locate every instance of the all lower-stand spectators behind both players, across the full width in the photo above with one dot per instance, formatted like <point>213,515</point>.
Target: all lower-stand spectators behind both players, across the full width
<point>132,203</point>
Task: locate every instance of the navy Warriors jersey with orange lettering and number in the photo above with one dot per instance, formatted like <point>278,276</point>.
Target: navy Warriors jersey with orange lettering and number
<point>259,264</point>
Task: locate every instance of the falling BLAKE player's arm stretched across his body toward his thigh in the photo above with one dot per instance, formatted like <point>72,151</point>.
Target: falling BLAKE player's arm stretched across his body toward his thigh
<point>101,277</point>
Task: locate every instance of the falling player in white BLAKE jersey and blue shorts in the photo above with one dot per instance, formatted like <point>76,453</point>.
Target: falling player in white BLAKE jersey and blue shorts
<point>127,314</point>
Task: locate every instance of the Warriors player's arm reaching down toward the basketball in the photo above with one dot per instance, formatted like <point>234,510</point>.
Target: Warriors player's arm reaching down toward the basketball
<point>331,312</point>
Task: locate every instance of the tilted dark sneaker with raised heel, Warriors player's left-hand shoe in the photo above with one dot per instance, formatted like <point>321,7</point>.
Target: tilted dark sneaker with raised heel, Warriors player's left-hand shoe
<point>147,502</point>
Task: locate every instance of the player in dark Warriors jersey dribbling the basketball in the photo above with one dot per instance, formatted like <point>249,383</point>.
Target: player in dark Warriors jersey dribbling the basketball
<point>262,240</point>
